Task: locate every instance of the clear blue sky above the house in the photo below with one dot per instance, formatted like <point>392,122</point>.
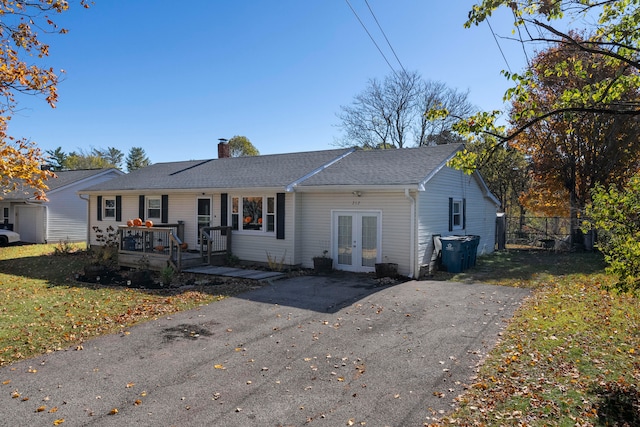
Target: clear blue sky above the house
<point>173,80</point>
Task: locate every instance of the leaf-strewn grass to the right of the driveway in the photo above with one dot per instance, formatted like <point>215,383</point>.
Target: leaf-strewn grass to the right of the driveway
<point>569,357</point>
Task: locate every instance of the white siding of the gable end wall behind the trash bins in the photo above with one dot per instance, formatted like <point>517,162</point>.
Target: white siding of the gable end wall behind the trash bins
<point>433,212</point>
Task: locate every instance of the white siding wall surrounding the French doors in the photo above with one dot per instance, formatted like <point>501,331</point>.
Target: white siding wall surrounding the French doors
<point>314,217</point>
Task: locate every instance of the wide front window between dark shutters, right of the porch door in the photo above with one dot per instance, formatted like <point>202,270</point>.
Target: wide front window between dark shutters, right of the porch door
<point>253,213</point>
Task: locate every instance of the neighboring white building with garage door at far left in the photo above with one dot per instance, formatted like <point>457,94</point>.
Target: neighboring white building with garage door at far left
<point>64,217</point>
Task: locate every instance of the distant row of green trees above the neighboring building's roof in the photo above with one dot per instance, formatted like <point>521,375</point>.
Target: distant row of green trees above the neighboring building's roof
<point>97,158</point>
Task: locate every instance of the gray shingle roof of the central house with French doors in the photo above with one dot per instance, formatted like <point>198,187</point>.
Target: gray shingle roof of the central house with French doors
<point>315,168</point>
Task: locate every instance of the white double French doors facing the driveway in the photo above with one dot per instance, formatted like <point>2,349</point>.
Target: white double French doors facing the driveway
<point>356,240</point>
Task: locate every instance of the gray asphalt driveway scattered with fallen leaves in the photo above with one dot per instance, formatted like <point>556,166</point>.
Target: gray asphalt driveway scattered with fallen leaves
<point>324,351</point>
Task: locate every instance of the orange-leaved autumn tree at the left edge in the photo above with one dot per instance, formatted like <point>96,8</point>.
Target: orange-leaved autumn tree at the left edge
<point>21,52</point>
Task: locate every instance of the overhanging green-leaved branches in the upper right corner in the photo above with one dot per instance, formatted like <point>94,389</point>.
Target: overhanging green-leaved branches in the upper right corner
<point>609,36</point>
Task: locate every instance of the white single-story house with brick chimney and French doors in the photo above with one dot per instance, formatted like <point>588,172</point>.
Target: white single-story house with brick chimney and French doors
<point>359,207</point>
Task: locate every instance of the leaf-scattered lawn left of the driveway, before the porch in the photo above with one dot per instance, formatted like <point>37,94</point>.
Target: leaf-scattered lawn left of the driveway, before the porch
<point>43,308</point>
